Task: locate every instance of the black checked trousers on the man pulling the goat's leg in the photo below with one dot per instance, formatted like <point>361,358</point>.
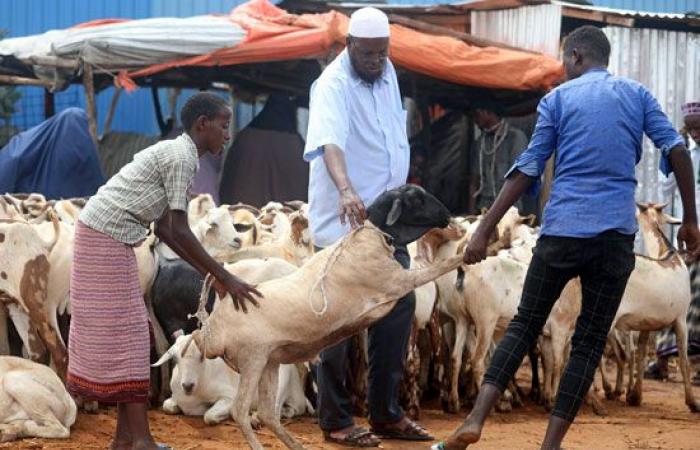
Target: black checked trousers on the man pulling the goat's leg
<point>604,264</point>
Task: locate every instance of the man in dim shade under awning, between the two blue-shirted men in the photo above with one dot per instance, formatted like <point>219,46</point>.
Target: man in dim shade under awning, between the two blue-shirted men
<point>492,155</point>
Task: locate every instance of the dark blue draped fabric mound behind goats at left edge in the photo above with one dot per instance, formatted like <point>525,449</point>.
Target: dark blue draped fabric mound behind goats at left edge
<point>56,158</point>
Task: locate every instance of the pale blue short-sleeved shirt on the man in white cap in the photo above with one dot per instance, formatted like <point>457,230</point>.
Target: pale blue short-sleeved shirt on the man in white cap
<point>367,122</point>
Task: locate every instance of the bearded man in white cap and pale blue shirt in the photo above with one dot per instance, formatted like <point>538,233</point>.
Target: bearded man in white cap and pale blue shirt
<point>358,149</point>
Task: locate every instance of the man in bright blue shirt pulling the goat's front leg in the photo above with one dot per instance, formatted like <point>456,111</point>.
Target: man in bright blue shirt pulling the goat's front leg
<point>594,125</point>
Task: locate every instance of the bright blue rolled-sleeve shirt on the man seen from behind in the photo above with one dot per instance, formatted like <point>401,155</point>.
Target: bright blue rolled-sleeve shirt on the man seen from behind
<point>594,124</point>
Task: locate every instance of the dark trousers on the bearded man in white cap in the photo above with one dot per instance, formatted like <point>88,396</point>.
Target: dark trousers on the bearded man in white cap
<point>387,342</point>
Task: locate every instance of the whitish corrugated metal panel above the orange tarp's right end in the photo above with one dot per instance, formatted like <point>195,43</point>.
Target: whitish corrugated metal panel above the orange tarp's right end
<point>532,27</point>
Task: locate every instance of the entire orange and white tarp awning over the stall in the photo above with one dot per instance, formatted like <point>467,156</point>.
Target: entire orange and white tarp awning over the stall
<point>258,31</point>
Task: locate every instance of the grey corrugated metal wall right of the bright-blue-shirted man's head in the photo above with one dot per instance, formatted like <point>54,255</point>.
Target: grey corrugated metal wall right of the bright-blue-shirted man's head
<point>668,64</point>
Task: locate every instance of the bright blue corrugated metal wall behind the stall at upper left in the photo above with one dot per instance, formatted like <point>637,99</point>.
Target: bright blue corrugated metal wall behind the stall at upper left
<point>135,111</point>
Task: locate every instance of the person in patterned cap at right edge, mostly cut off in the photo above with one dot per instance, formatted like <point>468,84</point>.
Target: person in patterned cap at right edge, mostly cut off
<point>666,340</point>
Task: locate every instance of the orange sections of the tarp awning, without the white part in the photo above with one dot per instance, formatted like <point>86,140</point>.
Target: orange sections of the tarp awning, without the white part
<point>274,35</point>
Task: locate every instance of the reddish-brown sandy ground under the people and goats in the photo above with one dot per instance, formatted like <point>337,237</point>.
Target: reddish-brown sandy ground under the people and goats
<point>662,422</point>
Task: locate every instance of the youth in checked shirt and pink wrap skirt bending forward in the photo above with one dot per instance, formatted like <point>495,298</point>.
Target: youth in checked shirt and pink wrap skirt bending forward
<point>109,347</point>
